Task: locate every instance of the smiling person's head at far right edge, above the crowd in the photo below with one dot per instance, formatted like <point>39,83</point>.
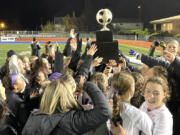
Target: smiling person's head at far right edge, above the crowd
<point>172,46</point>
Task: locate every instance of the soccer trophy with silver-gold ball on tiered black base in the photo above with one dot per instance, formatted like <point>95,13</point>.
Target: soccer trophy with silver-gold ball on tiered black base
<point>107,48</point>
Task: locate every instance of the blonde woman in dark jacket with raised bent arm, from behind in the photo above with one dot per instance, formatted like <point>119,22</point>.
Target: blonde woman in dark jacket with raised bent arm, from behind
<point>60,113</point>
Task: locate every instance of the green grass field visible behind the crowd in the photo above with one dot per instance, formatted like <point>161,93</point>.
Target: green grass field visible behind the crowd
<point>24,49</point>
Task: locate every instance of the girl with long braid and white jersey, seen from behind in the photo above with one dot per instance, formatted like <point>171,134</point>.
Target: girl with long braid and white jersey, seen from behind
<point>133,120</point>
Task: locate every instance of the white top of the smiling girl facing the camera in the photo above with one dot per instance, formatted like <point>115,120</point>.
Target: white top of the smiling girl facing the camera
<point>162,120</point>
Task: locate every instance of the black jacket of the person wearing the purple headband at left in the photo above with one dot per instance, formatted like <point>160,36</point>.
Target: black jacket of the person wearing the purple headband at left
<point>17,117</point>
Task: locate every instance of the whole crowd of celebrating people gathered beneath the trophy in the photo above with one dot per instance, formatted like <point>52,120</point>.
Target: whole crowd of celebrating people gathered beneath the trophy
<point>69,93</point>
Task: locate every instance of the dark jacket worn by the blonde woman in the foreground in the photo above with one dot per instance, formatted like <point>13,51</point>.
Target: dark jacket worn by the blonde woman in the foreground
<point>74,122</point>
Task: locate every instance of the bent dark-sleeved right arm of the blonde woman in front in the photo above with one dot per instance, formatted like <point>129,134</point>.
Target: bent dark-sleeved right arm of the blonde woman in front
<point>84,121</point>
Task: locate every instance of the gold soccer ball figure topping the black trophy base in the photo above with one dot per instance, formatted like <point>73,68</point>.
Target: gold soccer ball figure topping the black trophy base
<point>104,17</point>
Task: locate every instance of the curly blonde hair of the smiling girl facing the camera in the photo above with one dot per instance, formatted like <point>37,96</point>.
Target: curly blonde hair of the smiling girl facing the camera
<point>161,80</point>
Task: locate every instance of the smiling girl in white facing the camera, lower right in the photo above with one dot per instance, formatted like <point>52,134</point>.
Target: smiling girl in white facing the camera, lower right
<point>156,94</point>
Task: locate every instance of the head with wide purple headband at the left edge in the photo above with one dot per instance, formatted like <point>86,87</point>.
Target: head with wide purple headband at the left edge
<point>14,82</point>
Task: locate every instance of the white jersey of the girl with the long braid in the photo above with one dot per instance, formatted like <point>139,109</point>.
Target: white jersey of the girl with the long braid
<point>135,120</point>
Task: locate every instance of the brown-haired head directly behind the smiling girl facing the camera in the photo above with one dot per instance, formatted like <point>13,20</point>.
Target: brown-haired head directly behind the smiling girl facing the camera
<point>155,71</point>
